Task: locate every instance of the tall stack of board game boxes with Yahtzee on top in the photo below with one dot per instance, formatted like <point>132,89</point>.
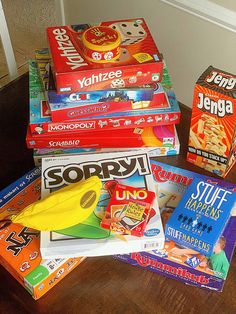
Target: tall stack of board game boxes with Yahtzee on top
<point>85,106</point>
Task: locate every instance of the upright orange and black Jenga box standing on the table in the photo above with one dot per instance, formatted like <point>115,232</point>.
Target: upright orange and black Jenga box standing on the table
<point>212,138</point>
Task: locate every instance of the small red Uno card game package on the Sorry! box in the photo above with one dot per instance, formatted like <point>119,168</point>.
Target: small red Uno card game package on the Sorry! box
<point>128,210</point>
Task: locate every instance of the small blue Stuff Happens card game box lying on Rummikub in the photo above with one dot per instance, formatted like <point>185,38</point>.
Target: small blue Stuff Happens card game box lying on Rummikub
<point>200,217</point>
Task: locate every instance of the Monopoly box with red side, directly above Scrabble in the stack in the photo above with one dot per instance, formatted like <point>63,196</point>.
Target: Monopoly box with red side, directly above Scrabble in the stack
<point>40,117</point>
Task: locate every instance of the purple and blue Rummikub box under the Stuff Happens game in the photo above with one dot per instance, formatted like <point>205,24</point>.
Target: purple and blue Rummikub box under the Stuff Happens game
<point>174,261</point>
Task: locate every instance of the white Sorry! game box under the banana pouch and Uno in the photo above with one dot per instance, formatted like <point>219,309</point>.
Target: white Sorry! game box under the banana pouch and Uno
<point>88,238</point>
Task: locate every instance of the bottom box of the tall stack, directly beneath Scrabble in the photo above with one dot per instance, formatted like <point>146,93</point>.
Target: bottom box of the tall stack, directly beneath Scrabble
<point>164,150</point>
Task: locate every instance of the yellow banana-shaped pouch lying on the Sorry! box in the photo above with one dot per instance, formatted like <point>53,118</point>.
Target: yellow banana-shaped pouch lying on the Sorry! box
<point>62,209</point>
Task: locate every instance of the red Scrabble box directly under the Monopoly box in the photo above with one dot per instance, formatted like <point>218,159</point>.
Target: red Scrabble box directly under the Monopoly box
<point>138,137</point>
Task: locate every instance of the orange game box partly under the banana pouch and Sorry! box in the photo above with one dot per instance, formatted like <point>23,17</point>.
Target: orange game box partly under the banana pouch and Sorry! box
<point>20,246</point>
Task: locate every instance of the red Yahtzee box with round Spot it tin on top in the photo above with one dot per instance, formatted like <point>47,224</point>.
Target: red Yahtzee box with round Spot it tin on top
<point>113,54</point>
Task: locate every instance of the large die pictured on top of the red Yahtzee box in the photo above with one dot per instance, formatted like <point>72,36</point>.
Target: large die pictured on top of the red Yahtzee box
<point>131,32</point>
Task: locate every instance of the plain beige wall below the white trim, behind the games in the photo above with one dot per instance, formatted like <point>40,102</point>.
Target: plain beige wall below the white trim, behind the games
<point>189,44</point>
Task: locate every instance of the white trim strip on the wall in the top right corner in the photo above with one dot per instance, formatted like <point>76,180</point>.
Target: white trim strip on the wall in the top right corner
<point>208,11</point>
